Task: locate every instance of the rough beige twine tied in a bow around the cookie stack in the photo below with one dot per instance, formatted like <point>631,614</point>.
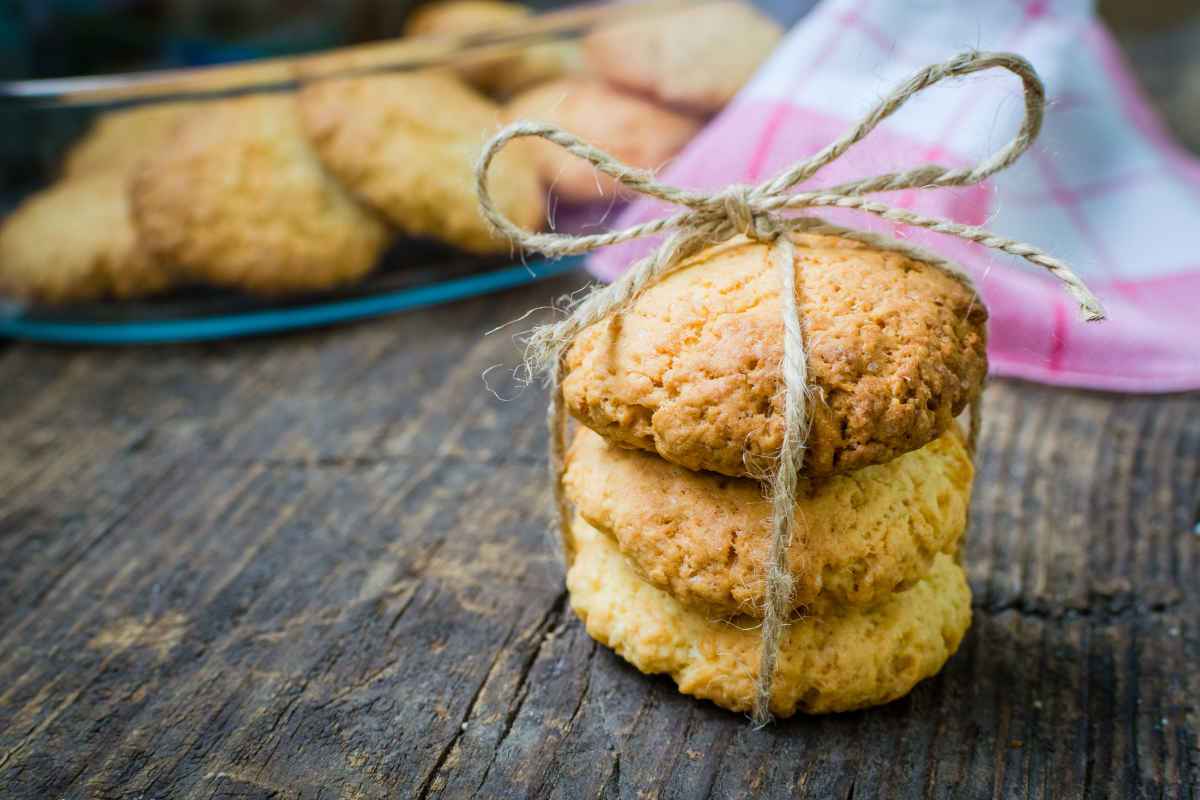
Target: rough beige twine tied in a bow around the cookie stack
<point>757,212</point>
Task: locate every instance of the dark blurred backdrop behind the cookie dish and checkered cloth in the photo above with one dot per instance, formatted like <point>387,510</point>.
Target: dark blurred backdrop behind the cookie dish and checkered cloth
<point>55,39</point>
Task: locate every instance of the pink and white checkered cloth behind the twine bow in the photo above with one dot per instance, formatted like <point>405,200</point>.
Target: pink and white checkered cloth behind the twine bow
<point>1105,188</point>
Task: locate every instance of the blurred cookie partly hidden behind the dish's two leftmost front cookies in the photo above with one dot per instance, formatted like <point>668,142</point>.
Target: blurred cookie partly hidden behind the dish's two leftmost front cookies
<point>118,141</point>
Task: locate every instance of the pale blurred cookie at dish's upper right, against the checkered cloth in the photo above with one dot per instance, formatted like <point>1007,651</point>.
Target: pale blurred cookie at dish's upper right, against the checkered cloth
<point>695,58</point>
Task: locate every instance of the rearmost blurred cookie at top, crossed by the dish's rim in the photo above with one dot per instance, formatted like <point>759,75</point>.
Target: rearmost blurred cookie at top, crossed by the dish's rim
<point>501,74</point>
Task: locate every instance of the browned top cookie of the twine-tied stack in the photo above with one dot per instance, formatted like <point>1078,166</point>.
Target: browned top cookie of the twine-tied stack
<point>692,370</point>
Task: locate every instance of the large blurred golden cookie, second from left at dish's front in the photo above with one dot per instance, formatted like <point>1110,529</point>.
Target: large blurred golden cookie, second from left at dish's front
<point>238,199</point>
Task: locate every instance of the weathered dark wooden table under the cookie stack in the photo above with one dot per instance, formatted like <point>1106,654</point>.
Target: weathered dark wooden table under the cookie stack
<point>317,567</point>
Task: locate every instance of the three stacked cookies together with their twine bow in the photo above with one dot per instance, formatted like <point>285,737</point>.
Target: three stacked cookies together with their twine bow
<point>771,489</point>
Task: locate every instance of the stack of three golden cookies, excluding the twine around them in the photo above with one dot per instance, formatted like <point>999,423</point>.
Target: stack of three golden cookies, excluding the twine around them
<point>680,399</point>
